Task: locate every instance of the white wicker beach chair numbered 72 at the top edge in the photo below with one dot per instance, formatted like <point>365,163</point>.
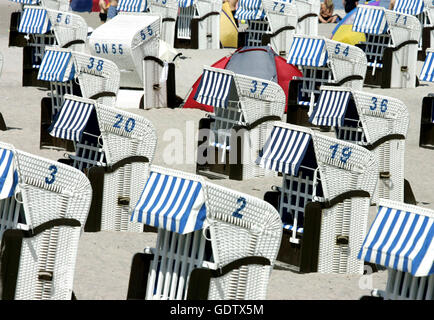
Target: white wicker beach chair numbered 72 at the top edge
<point>269,22</point>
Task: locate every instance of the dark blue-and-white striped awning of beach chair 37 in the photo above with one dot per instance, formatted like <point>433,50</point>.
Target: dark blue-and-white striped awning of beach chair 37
<point>214,89</point>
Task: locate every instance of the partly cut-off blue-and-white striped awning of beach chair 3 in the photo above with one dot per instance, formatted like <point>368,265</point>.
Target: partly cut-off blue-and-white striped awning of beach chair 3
<point>8,174</point>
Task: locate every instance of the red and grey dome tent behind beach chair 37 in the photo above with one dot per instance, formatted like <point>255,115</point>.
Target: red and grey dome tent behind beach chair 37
<point>268,65</point>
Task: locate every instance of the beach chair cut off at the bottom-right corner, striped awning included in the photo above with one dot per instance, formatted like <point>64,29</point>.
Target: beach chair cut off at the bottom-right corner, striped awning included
<point>401,239</point>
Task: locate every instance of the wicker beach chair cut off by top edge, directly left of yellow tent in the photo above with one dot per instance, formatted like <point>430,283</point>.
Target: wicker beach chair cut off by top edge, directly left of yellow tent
<point>198,24</point>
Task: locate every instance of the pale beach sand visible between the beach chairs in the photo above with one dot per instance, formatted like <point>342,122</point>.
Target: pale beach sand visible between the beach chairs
<point>104,258</point>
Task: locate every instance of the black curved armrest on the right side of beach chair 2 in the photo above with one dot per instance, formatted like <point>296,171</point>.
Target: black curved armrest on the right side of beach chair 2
<point>200,278</point>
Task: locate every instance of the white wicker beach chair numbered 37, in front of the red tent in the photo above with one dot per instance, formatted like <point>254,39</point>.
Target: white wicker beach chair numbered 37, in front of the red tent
<point>244,108</point>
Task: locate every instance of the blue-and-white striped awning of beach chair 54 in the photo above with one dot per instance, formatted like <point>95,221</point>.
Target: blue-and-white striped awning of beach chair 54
<point>308,52</point>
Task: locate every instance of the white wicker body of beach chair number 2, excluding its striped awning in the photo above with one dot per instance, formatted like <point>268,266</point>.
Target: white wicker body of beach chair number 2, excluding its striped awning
<point>231,258</point>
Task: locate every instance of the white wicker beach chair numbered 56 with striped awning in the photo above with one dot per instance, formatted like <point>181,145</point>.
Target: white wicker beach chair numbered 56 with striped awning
<point>48,27</point>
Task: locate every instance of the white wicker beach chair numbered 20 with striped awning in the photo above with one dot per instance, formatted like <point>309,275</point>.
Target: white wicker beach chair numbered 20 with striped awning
<point>114,148</point>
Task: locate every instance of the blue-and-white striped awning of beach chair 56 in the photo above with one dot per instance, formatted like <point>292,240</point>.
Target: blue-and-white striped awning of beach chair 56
<point>35,21</point>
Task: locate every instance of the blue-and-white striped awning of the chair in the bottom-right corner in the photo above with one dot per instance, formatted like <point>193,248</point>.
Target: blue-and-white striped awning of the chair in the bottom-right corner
<point>401,240</point>
